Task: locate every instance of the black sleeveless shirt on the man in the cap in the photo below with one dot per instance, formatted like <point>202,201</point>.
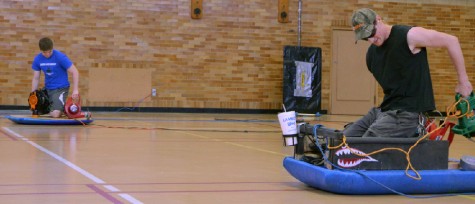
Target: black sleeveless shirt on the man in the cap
<point>404,76</point>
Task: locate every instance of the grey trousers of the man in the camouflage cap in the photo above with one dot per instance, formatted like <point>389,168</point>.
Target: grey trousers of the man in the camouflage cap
<point>393,123</point>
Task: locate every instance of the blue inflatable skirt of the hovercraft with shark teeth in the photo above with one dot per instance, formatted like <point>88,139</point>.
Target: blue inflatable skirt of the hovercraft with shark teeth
<point>373,182</point>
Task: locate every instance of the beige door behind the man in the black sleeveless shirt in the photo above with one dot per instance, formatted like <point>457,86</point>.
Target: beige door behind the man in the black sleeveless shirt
<point>353,87</point>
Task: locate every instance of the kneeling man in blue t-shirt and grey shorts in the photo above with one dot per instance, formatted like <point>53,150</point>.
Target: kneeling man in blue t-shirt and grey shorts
<point>55,65</point>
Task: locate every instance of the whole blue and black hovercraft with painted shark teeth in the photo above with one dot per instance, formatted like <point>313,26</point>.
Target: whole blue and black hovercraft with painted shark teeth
<point>370,166</point>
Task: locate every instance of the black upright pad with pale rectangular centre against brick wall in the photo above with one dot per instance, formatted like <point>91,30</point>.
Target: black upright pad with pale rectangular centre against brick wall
<point>302,93</point>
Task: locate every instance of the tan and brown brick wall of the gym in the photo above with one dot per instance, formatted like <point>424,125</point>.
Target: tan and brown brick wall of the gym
<point>229,59</point>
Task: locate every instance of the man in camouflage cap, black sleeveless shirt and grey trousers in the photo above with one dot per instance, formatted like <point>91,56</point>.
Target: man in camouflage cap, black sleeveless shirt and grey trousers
<point>397,59</point>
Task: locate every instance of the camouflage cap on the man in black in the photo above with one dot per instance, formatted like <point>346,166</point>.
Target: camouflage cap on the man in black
<point>363,22</point>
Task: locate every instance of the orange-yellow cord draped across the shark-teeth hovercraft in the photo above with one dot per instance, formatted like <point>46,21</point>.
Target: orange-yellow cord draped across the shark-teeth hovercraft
<point>451,112</point>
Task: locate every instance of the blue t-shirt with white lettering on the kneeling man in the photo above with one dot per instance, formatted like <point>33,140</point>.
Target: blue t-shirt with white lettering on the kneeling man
<point>55,69</point>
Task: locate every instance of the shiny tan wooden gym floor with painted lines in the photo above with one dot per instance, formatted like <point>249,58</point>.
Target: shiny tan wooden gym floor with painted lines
<point>166,158</point>
